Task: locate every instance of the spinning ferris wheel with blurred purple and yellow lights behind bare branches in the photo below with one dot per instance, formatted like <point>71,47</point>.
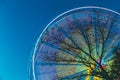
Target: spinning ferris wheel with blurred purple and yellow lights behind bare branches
<point>80,44</point>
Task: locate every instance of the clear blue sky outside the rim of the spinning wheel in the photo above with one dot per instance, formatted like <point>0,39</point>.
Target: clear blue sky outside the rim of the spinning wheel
<point>21,22</point>
